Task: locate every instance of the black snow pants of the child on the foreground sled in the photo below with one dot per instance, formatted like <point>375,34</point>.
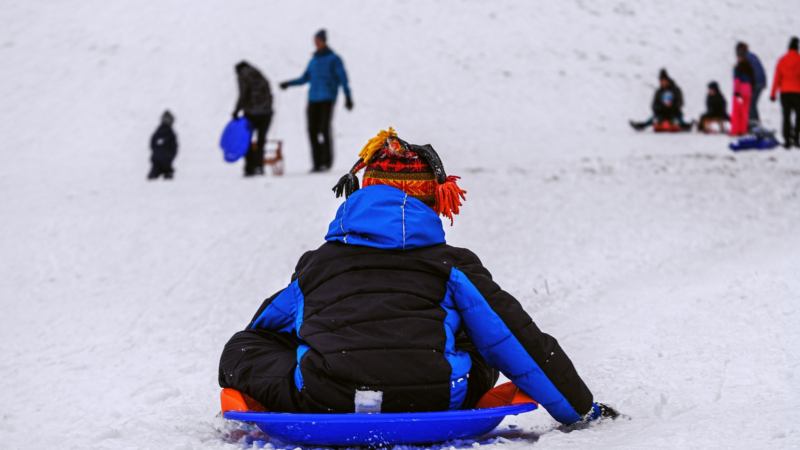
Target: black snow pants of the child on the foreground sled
<point>261,364</point>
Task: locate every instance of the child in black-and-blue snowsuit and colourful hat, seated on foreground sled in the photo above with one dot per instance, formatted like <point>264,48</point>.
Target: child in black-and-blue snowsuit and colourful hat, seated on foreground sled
<point>386,306</point>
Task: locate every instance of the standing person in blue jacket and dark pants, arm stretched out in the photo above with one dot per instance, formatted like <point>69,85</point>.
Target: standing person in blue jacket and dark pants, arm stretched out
<point>326,73</point>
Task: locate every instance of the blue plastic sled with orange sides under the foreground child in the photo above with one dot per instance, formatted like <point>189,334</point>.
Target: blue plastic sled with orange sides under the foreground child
<point>380,429</point>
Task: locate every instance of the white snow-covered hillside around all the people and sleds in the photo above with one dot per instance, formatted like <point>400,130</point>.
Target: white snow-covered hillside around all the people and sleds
<point>667,266</point>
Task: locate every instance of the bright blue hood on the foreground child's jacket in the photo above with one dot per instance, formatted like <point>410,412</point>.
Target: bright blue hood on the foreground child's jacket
<point>385,217</point>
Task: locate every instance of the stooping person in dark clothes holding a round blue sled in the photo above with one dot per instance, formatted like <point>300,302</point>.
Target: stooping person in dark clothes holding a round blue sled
<point>255,99</point>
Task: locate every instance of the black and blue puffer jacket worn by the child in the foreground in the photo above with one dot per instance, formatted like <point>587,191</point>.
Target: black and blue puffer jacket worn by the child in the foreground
<point>378,307</point>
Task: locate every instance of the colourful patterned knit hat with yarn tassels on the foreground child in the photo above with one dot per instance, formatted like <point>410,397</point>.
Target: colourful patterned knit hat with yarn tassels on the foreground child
<point>414,169</point>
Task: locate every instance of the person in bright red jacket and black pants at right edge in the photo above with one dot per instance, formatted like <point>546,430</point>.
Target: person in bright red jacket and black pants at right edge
<point>787,80</point>
